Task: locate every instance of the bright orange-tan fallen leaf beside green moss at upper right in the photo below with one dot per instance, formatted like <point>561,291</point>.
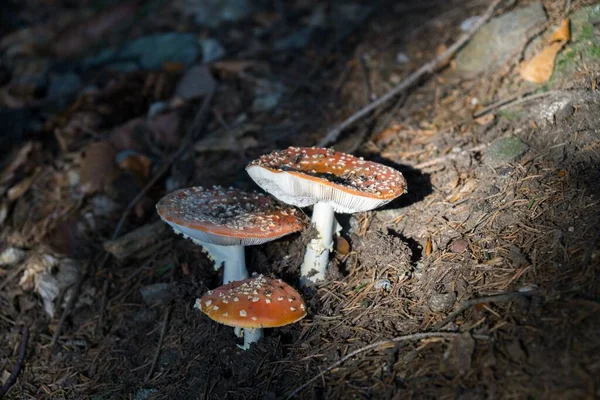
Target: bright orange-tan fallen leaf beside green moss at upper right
<point>539,69</point>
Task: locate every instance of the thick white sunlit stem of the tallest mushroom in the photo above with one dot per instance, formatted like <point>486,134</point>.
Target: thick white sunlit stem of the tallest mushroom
<point>316,257</point>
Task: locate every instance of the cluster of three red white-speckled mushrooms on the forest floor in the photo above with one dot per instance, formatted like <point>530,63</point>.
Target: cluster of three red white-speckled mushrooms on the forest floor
<point>223,221</point>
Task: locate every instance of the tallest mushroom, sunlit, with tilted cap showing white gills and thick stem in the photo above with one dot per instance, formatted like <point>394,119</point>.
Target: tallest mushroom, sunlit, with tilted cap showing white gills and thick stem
<point>332,182</point>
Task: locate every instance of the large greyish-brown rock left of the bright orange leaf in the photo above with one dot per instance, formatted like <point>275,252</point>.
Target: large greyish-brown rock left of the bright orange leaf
<point>498,40</point>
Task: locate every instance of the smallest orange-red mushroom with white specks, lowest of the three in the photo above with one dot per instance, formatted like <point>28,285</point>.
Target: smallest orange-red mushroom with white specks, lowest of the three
<point>253,304</point>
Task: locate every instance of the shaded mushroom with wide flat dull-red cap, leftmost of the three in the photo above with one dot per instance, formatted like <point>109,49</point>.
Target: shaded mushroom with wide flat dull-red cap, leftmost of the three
<point>223,221</point>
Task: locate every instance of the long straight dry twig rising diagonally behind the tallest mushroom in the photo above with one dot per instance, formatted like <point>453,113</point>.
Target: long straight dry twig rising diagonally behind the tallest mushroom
<point>412,79</point>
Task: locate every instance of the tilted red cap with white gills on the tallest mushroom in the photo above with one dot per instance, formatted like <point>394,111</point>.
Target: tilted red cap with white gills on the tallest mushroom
<point>349,183</point>
